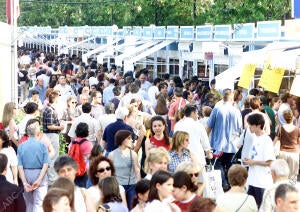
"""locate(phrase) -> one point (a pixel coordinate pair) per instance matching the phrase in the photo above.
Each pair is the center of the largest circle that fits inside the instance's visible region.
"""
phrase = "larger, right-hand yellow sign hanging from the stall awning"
(271, 78)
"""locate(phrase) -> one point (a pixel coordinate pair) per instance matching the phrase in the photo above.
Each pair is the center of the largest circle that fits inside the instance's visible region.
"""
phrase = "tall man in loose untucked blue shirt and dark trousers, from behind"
(225, 124)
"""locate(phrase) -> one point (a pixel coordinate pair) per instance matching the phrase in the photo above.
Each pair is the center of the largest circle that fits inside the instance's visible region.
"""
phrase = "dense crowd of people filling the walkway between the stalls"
(87, 138)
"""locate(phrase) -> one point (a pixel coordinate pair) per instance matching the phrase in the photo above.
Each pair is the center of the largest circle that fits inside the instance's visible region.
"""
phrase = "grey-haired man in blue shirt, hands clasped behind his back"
(33, 162)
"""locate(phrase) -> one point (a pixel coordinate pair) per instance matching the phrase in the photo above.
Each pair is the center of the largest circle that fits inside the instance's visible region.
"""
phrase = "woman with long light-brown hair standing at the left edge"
(9, 124)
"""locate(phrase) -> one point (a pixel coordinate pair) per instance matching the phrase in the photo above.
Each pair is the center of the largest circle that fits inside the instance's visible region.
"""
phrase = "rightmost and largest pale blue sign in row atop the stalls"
(268, 30)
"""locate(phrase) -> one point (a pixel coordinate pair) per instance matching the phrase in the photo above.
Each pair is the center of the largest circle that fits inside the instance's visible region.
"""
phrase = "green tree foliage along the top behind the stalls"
(56, 13)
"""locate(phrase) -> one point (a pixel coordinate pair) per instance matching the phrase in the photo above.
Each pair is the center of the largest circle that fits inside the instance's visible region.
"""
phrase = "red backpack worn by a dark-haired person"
(78, 156)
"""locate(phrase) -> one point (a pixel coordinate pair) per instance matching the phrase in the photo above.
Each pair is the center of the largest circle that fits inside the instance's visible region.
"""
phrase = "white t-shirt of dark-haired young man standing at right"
(262, 150)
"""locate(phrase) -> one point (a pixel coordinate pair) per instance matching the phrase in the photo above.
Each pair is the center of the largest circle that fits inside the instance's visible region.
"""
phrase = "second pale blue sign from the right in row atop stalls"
(243, 32)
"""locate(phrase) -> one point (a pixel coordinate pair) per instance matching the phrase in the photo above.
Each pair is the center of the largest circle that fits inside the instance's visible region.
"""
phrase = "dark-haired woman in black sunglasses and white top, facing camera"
(100, 168)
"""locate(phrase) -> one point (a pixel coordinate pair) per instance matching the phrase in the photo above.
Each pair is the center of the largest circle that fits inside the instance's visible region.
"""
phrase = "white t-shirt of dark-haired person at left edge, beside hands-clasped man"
(12, 161)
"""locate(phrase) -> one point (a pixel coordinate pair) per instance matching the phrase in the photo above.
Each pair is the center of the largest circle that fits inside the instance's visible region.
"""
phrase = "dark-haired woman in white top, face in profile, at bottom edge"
(160, 194)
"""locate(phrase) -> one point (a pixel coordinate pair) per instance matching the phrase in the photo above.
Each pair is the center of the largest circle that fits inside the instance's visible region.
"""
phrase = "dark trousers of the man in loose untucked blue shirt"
(223, 164)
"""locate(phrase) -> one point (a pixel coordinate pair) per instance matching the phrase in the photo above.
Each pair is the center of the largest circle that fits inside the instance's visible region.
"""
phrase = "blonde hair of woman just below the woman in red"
(156, 155)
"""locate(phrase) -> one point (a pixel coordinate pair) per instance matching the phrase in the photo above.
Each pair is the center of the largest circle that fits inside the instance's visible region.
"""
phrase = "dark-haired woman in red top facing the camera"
(160, 135)
